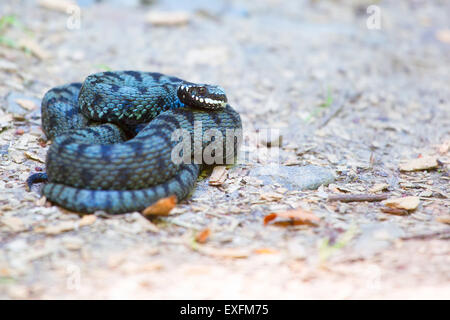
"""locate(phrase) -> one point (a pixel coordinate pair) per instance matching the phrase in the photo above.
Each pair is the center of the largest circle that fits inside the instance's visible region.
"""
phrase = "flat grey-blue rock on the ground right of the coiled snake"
(294, 178)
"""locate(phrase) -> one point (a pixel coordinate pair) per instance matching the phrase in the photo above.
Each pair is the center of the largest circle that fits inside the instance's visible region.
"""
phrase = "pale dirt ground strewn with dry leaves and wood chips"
(336, 87)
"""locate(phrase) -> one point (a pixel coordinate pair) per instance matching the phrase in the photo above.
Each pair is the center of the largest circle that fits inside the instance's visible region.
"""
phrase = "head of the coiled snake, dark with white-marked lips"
(202, 96)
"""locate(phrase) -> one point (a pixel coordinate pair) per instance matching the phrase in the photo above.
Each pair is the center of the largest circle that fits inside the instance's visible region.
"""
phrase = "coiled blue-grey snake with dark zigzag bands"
(122, 140)
